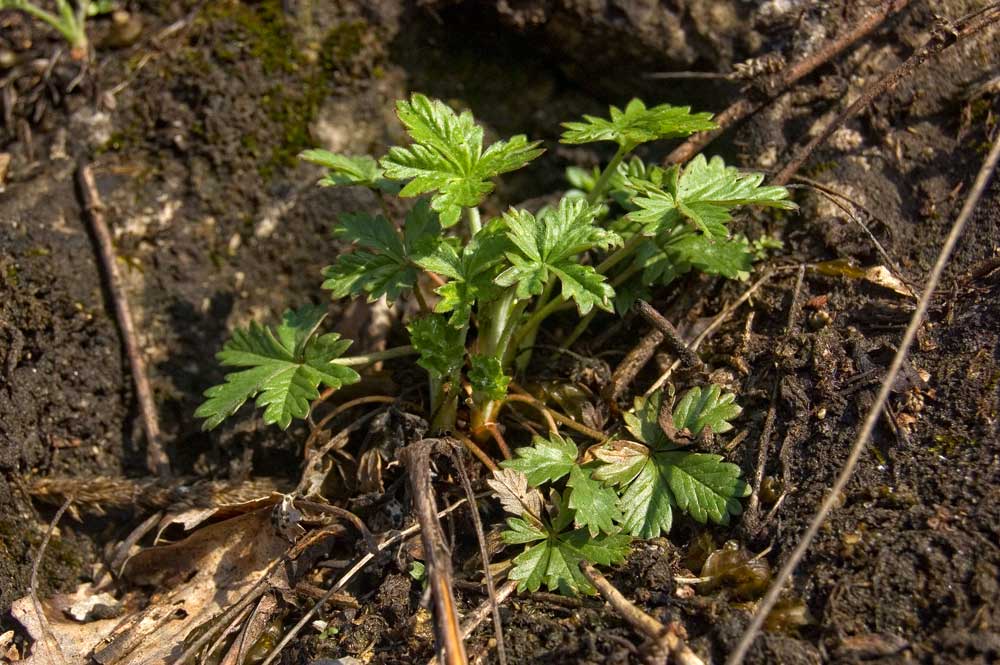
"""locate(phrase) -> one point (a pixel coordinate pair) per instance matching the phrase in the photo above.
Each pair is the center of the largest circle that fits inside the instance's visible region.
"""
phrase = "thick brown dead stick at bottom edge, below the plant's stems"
(417, 458)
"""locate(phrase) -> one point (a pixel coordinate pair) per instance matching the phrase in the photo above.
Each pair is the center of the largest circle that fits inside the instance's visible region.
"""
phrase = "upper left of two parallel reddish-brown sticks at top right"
(785, 79)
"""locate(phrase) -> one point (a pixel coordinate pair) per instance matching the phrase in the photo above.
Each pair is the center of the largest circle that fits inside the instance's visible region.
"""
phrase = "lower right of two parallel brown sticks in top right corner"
(941, 38)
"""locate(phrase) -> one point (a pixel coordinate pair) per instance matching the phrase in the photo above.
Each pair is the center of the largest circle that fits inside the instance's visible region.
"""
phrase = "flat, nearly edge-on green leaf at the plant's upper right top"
(637, 124)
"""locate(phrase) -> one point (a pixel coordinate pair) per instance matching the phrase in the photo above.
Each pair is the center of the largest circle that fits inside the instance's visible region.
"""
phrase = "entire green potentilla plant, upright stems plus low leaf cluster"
(619, 232)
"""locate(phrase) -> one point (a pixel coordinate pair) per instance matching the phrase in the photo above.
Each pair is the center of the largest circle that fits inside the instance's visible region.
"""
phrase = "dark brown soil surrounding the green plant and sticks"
(192, 127)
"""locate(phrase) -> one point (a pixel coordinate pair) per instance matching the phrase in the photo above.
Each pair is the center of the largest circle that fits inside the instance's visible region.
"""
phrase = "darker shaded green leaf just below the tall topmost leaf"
(391, 268)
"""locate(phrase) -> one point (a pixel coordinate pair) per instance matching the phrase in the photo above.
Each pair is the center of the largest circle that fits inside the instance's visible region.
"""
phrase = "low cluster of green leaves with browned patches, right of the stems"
(620, 489)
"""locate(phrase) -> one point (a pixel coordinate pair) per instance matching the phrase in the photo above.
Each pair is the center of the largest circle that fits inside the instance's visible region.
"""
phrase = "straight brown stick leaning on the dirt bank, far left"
(156, 459)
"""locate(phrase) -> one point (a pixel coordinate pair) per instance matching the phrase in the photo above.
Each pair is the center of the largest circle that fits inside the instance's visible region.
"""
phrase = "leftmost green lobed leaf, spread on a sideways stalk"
(286, 368)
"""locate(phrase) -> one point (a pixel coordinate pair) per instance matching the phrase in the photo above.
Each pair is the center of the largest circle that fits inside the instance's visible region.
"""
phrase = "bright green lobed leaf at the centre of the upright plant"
(548, 245)
